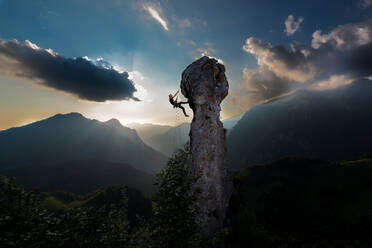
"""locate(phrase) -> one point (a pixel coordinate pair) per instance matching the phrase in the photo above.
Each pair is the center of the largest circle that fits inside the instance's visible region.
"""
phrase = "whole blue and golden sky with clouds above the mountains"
(121, 58)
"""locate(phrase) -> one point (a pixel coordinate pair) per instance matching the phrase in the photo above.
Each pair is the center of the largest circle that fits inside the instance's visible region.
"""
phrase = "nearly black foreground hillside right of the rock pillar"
(296, 202)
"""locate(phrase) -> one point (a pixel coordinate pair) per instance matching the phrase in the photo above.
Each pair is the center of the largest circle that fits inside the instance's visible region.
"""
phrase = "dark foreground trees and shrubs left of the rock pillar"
(109, 217)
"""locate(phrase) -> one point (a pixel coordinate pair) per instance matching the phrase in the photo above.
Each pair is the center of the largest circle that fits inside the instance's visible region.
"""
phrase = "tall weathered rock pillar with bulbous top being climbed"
(205, 85)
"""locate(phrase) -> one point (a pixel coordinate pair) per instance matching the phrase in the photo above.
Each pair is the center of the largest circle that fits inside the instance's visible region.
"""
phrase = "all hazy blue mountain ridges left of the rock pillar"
(70, 152)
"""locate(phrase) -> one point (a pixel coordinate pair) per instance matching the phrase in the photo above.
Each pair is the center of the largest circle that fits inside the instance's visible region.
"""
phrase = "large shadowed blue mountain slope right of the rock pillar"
(332, 125)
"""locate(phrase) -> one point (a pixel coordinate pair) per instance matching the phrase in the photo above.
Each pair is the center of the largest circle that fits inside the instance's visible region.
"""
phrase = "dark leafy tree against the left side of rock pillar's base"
(174, 206)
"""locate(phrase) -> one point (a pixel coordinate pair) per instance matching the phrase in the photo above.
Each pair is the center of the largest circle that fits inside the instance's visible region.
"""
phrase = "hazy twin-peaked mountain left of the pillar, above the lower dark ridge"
(72, 137)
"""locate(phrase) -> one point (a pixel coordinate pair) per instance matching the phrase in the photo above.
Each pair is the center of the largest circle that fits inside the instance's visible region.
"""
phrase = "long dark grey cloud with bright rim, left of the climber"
(82, 77)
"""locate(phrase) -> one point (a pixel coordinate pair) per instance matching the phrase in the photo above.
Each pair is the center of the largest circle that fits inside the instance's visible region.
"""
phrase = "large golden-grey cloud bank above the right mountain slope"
(334, 59)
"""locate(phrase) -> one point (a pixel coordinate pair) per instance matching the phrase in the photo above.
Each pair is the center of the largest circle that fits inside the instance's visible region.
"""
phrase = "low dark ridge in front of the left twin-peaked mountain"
(81, 177)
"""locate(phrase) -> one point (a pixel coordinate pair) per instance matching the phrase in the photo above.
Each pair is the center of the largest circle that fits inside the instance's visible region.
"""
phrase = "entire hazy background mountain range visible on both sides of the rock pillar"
(331, 125)
